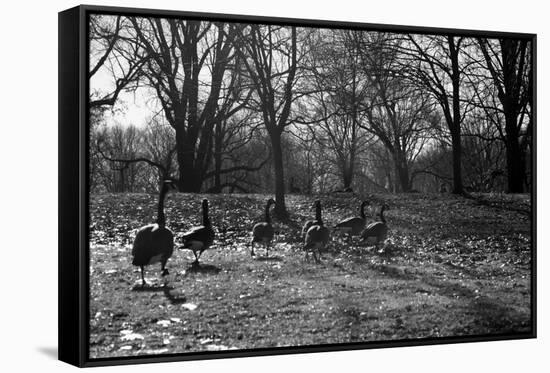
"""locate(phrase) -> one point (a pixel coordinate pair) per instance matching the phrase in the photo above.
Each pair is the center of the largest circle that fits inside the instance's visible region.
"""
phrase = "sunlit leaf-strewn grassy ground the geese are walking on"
(452, 266)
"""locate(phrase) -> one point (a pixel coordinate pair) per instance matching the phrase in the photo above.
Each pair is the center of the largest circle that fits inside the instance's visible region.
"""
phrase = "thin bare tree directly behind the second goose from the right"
(335, 99)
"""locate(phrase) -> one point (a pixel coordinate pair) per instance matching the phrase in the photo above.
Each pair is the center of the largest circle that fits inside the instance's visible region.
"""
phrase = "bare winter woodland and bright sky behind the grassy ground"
(267, 108)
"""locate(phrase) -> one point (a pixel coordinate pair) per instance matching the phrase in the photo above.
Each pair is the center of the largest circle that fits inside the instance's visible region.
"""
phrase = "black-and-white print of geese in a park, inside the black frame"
(260, 185)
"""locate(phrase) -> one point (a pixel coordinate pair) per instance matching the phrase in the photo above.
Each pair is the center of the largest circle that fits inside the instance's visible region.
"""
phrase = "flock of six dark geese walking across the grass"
(154, 243)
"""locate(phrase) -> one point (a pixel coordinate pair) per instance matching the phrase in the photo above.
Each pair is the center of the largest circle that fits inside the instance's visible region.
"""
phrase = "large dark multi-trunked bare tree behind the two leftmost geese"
(187, 68)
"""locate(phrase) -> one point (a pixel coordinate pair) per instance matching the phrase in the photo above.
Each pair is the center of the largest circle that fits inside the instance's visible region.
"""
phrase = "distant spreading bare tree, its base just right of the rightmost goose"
(399, 114)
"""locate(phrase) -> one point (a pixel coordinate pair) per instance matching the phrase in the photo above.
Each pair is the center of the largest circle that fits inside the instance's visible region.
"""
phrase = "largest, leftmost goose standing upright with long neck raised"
(155, 242)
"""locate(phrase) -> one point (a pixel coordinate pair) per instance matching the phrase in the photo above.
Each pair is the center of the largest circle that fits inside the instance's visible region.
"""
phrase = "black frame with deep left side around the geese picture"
(73, 232)
